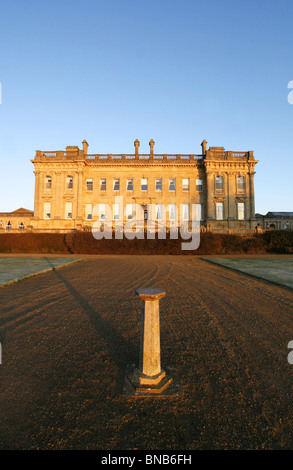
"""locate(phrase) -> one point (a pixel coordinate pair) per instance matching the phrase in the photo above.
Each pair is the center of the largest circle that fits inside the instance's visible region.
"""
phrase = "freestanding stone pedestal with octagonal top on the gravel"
(149, 377)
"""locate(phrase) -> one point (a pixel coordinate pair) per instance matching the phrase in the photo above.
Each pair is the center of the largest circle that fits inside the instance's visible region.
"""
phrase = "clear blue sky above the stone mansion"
(176, 71)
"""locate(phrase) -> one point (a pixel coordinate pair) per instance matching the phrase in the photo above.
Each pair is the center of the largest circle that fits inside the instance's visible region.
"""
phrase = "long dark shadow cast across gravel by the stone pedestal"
(120, 350)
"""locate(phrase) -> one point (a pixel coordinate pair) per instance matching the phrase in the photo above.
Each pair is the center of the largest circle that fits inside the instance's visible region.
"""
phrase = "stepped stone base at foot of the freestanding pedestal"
(145, 385)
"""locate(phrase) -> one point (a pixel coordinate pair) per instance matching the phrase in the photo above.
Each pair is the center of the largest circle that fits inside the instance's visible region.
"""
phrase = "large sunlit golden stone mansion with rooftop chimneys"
(73, 188)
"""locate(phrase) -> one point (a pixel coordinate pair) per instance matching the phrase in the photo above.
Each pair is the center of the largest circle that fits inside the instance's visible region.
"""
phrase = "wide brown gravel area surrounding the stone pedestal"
(68, 335)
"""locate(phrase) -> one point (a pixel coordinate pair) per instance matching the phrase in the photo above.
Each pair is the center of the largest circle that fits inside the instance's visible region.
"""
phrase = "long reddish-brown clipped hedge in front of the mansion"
(84, 242)
